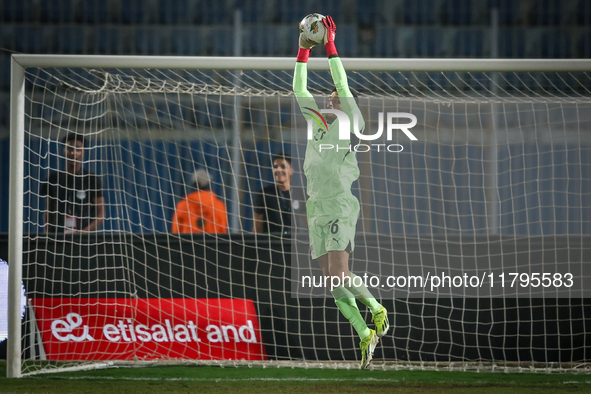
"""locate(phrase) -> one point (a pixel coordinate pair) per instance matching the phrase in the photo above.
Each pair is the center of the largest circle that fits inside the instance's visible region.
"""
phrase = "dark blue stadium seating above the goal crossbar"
(381, 28)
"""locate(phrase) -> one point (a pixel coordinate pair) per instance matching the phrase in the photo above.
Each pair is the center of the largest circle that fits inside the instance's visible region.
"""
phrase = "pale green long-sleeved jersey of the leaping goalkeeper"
(330, 164)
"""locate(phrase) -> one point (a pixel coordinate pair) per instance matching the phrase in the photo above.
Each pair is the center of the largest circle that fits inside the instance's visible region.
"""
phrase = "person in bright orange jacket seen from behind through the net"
(201, 211)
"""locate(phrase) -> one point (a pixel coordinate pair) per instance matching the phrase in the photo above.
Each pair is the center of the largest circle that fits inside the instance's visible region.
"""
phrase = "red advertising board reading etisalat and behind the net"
(148, 329)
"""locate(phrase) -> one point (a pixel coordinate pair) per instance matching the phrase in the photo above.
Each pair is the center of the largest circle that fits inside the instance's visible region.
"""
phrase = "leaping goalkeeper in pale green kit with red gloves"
(332, 209)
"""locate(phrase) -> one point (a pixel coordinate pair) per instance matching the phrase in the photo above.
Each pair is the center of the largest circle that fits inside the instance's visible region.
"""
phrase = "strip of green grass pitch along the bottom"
(228, 380)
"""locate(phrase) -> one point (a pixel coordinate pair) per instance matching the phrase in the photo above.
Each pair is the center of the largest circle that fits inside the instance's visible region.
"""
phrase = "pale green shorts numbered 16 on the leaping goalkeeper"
(332, 224)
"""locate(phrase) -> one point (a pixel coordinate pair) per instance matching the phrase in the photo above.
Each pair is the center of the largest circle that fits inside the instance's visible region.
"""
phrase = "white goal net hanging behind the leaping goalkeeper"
(474, 235)
